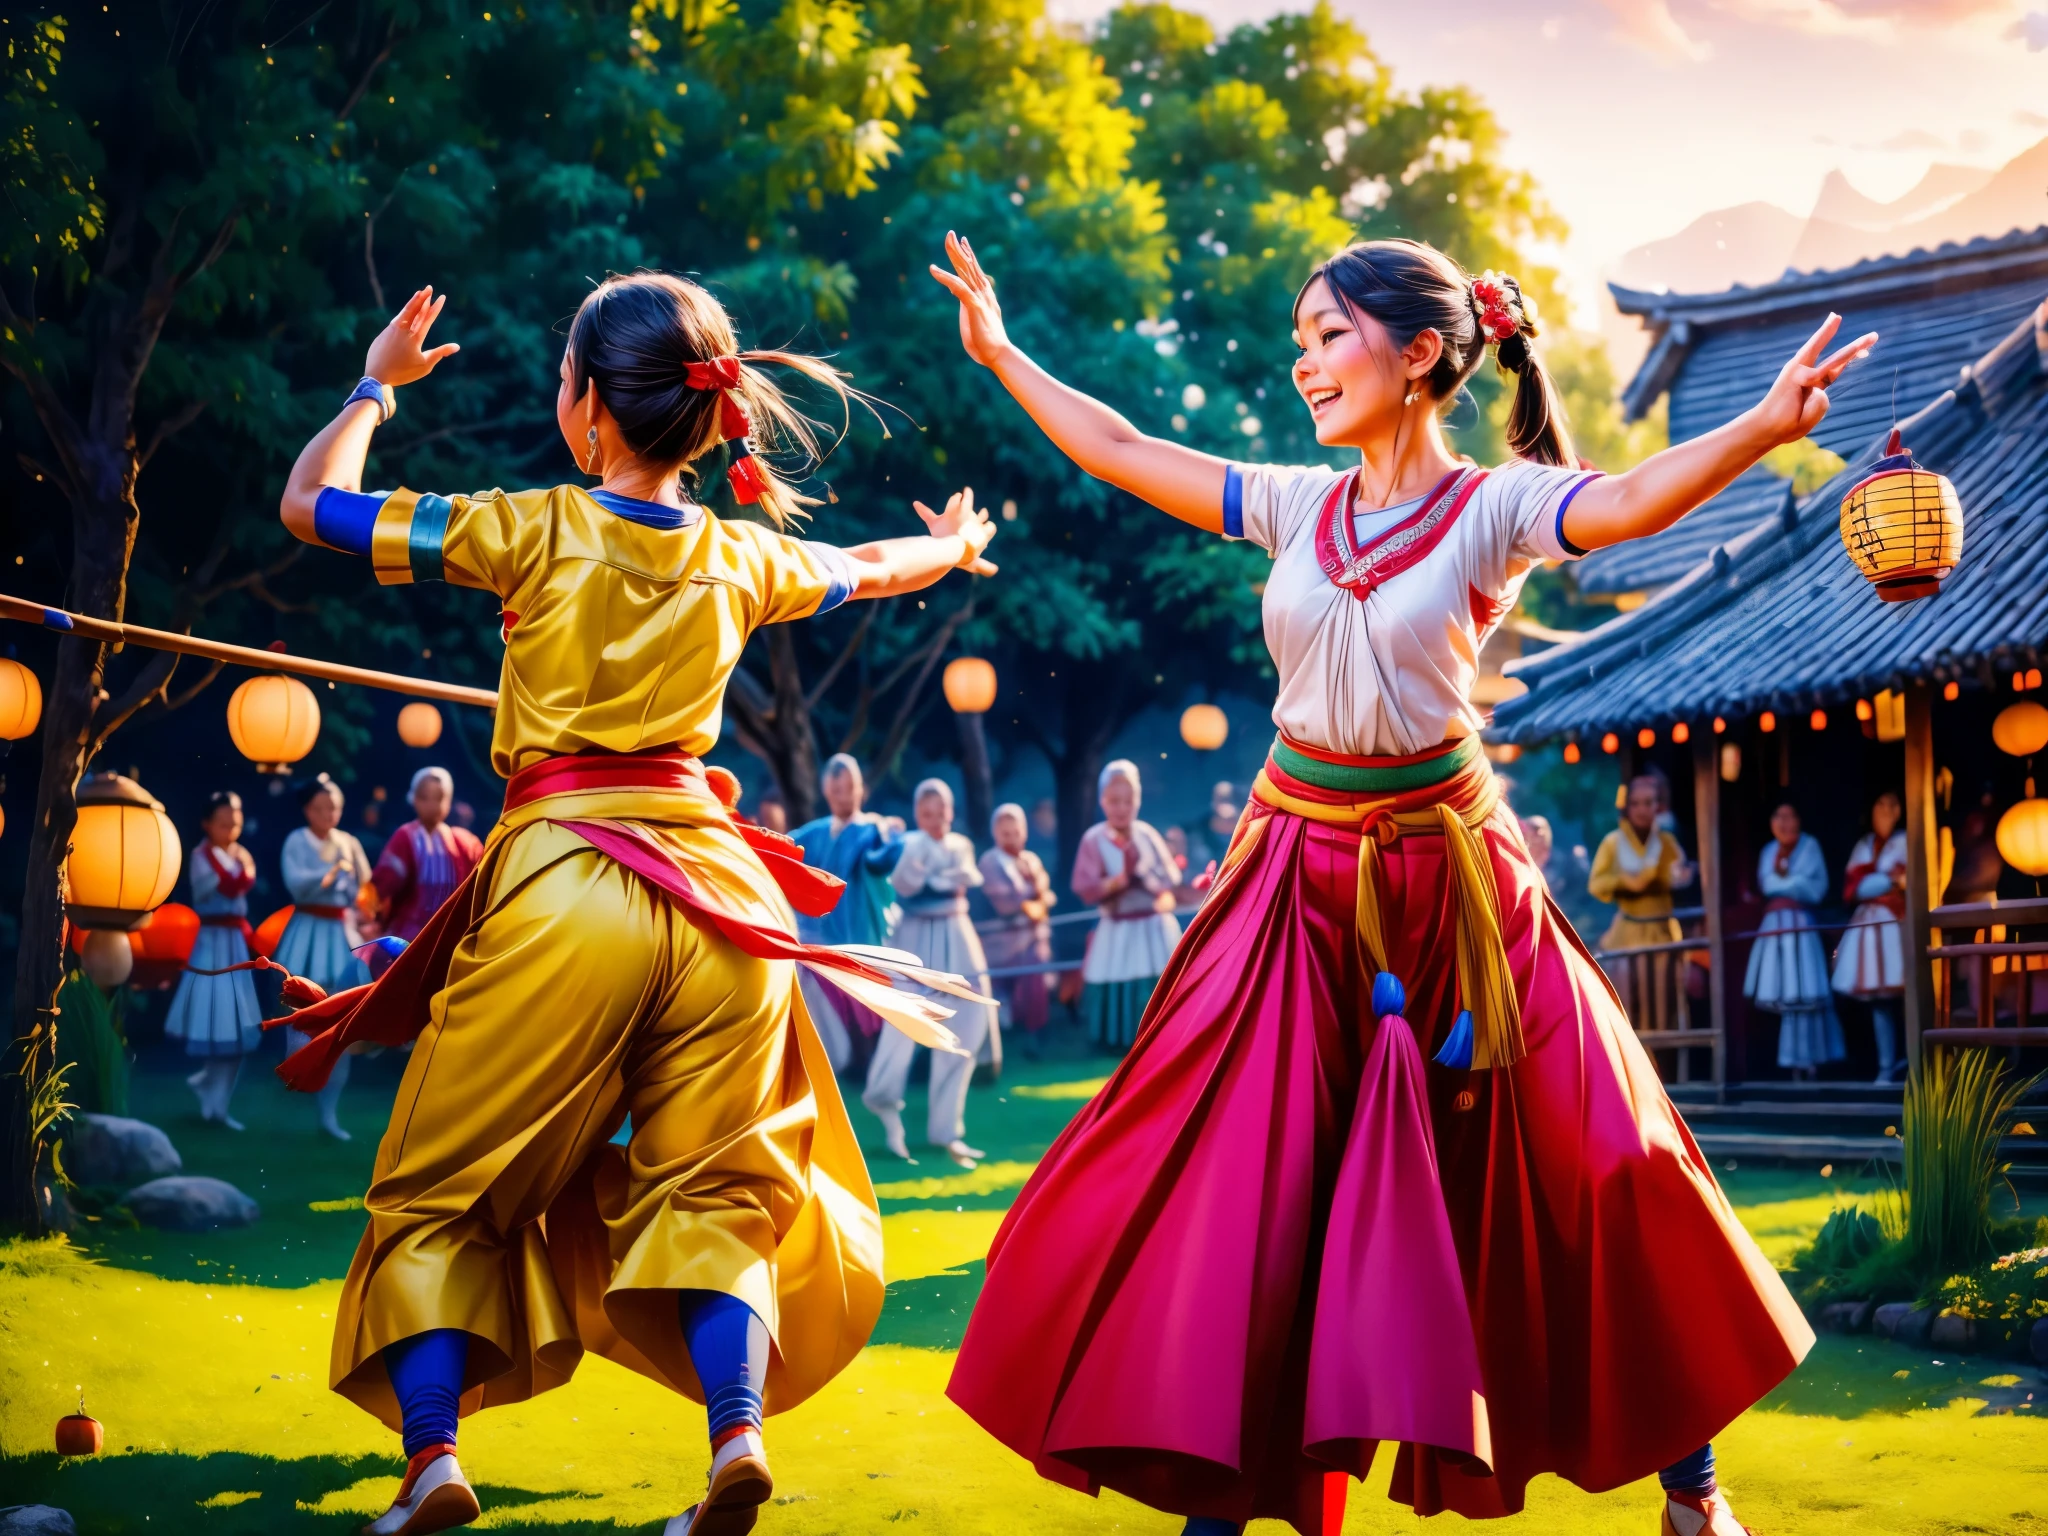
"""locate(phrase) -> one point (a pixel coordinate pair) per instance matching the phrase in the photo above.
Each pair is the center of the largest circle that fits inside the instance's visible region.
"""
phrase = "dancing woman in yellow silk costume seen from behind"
(626, 945)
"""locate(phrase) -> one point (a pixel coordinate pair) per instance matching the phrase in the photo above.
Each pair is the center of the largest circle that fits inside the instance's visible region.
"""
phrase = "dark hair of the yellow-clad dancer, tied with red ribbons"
(636, 339)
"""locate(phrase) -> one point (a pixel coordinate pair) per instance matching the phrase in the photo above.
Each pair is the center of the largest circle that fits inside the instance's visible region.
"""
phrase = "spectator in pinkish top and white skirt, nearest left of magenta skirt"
(1127, 873)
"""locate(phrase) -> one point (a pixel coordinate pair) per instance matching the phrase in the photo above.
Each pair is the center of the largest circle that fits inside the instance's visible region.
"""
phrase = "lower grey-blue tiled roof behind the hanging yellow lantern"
(1779, 617)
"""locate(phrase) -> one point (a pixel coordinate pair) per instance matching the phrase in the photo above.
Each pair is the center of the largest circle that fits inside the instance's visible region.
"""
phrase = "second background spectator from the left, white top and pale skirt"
(325, 871)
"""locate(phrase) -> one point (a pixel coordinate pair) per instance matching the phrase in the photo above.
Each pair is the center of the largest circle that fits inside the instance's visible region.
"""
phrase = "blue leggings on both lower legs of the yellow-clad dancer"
(728, 1347)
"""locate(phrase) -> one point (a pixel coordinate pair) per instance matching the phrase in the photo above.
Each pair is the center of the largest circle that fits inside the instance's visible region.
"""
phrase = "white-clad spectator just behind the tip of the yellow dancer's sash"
(933, 880)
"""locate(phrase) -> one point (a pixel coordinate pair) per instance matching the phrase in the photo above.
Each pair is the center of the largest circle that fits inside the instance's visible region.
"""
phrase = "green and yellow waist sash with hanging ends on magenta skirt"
(1447, 792)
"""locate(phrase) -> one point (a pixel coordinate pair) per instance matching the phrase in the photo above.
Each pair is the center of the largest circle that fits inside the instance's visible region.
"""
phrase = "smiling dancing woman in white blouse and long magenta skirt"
(1388, 1162)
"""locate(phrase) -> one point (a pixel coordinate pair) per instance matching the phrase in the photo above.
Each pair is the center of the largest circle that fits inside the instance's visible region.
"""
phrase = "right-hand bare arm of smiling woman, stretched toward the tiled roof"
(1670, 484)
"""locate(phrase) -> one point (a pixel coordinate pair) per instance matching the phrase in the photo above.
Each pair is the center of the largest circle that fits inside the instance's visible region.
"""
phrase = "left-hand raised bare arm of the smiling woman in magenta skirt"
(1175, 478)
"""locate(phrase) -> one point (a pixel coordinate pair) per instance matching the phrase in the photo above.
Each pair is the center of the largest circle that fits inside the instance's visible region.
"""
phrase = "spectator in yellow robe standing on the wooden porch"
(1637, 869)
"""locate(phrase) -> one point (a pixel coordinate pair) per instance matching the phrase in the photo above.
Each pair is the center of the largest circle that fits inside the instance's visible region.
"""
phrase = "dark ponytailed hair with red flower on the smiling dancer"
(1410, 288)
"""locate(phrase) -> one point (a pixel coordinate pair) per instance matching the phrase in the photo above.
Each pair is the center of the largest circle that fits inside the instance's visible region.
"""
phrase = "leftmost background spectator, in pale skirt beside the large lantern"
(218, 1015)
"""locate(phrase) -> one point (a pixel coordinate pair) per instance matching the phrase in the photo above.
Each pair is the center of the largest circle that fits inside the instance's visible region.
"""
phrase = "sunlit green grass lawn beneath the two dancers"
(206, 1357)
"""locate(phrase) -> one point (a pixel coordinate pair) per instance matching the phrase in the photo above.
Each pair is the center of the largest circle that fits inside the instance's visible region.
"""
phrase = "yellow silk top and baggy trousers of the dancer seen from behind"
(579, 994)
